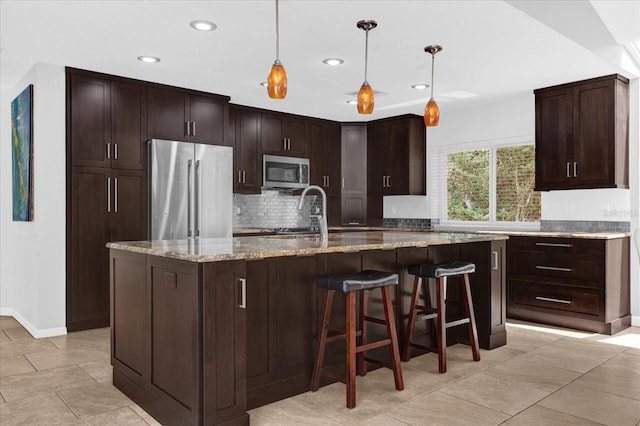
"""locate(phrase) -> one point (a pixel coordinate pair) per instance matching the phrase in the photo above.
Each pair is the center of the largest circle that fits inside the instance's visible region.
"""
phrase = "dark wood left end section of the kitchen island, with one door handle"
(178, 333)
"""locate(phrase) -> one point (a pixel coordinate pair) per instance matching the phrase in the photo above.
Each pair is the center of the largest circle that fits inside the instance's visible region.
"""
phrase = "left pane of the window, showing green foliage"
(468, 185)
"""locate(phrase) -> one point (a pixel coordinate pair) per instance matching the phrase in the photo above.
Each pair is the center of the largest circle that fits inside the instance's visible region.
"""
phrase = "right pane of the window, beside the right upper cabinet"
(515, 178)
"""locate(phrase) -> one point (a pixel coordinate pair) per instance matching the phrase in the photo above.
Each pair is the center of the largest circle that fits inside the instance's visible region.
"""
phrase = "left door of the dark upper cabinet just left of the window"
(377, 157)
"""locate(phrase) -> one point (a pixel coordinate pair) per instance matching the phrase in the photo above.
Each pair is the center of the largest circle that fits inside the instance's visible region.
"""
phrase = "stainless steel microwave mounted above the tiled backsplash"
(285, 172)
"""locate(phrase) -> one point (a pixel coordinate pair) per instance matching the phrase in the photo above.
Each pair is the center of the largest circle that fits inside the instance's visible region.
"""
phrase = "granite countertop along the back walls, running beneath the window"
(514, 233)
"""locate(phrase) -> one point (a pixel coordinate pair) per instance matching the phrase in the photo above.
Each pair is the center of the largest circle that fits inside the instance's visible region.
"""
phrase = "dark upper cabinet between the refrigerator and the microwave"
(245, 136)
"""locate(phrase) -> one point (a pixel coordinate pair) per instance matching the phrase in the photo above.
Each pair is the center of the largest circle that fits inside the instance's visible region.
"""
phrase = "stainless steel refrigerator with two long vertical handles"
(190, 190)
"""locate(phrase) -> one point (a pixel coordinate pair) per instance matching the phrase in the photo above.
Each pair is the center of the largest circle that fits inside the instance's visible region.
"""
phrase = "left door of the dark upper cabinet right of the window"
(553, 139)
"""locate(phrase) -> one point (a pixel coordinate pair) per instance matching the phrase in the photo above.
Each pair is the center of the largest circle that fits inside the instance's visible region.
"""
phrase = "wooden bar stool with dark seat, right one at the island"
(440, 272)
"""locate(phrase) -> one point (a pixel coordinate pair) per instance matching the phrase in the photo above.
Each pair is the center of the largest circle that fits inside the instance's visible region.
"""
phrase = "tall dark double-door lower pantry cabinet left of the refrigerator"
(107, 205)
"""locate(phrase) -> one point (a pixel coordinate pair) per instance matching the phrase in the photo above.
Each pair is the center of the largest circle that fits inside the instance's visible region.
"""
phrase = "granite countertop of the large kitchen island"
(260, 247)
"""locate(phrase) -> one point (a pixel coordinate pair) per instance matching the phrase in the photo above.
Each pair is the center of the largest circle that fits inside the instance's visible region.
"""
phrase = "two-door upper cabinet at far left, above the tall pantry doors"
(106, 122)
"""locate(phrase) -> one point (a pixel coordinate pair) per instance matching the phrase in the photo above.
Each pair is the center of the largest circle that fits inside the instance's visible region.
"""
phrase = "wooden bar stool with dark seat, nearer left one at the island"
(350, 285)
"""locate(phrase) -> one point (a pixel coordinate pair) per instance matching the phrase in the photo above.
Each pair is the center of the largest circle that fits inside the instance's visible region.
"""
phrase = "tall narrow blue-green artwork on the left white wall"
(22, 154)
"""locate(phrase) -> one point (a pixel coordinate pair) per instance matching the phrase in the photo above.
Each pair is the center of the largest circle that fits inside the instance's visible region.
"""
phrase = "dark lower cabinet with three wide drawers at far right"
(570, 282)
